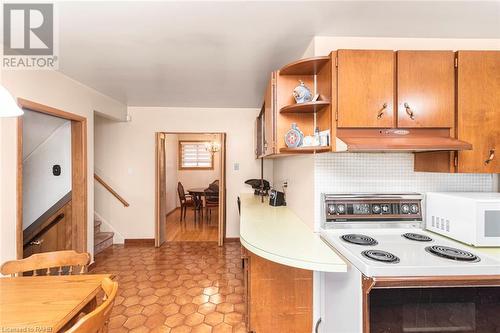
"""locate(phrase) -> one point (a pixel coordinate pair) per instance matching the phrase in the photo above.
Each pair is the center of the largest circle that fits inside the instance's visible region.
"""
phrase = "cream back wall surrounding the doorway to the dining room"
(125, 154)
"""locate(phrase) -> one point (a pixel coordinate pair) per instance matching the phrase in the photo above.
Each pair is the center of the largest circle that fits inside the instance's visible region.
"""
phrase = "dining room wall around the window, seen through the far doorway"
(199, 178)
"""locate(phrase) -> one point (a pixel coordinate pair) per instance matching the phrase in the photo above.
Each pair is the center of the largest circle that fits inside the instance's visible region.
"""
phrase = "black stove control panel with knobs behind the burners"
(346, 208)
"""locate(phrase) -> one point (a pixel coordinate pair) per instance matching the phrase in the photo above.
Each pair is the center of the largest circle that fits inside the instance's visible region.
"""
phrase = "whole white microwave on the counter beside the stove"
(468, 217)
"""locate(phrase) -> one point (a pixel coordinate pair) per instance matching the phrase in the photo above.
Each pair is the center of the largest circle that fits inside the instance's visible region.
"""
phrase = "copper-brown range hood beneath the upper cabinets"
(408, 140)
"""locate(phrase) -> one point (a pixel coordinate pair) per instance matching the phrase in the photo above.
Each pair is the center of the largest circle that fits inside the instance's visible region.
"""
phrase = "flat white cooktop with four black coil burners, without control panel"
(421, 254)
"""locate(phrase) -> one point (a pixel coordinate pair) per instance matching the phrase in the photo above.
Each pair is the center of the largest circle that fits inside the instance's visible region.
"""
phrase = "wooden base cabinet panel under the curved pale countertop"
(279, 297)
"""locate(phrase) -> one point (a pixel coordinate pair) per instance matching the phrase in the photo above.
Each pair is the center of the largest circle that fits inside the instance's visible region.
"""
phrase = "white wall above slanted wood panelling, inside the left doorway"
(41, 189)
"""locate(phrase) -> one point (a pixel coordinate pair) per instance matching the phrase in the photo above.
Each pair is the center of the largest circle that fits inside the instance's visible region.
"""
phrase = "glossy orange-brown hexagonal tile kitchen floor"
(180, 287)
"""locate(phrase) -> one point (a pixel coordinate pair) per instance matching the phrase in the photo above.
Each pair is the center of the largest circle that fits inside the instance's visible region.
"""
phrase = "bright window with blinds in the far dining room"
(194, 155)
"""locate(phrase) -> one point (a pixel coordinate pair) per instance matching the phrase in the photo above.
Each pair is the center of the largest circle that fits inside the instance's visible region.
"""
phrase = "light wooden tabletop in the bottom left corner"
(45, 303)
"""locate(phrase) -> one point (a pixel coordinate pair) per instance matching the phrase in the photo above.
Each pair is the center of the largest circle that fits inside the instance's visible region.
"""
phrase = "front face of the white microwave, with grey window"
(488, 228)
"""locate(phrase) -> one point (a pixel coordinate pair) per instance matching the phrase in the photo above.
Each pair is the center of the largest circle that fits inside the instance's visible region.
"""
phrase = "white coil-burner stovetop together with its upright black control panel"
(381, 235)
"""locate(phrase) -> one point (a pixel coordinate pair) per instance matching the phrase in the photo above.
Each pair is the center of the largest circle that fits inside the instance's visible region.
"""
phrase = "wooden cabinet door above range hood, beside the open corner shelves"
(366, 83)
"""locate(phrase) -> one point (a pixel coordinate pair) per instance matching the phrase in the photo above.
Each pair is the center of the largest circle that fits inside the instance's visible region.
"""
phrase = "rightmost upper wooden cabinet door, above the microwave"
(478, 105)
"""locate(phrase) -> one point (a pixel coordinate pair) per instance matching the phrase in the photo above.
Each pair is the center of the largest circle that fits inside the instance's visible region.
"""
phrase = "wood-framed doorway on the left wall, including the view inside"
(61, 223)
